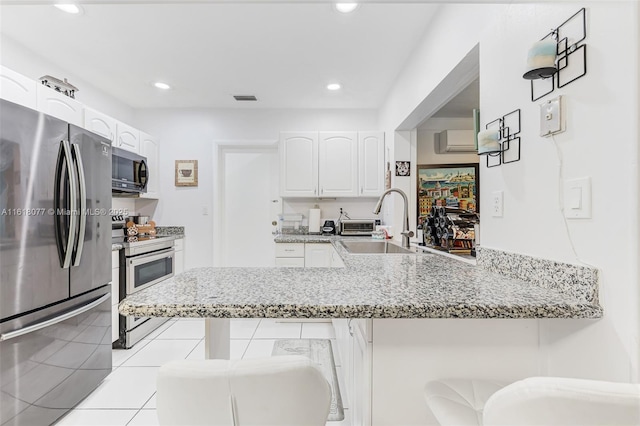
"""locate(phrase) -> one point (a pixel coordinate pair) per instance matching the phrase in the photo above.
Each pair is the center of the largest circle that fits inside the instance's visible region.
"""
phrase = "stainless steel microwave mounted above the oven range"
(129, 172)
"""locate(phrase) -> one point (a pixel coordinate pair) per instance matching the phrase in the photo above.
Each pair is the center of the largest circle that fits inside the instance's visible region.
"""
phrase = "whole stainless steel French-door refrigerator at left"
(55, 265)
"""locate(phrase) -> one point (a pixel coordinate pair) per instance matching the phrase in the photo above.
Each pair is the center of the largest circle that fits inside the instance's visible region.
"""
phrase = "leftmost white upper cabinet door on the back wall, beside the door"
(299, 164)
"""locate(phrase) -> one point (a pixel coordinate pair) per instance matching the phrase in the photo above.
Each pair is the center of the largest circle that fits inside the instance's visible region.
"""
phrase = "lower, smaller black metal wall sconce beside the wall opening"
(508, 129)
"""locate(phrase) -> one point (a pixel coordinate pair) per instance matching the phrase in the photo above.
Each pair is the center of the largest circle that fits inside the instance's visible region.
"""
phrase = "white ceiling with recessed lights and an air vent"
(283, 53)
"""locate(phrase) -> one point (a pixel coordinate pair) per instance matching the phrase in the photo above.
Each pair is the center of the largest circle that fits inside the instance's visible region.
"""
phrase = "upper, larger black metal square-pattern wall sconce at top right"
(568, 54)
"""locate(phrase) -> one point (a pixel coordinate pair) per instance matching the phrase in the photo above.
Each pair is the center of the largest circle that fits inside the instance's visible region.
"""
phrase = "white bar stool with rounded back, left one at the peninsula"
(286, 390)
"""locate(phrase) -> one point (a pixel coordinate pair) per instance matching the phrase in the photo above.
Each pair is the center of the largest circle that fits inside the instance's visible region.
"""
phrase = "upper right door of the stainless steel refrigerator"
(91, 261)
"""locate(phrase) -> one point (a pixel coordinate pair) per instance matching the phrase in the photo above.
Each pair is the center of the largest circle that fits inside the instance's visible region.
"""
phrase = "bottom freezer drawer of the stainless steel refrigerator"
(48, 368)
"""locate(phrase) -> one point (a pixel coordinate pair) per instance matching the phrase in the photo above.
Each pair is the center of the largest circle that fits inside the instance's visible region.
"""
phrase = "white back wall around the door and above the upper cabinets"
(187, 134)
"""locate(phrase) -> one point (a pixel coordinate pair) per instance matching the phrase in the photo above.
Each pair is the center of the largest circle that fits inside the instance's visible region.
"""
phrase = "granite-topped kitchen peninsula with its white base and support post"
(414, 305)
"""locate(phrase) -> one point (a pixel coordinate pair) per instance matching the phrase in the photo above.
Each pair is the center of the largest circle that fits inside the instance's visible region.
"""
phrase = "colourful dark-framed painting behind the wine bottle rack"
(448, 185)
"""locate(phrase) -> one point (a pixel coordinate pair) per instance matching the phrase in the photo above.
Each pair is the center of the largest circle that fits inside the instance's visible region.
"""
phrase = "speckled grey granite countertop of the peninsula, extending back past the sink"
(422, 285)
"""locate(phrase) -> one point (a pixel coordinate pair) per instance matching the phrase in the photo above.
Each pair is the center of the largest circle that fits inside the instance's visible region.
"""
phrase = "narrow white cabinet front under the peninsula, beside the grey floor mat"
(355, 348)
